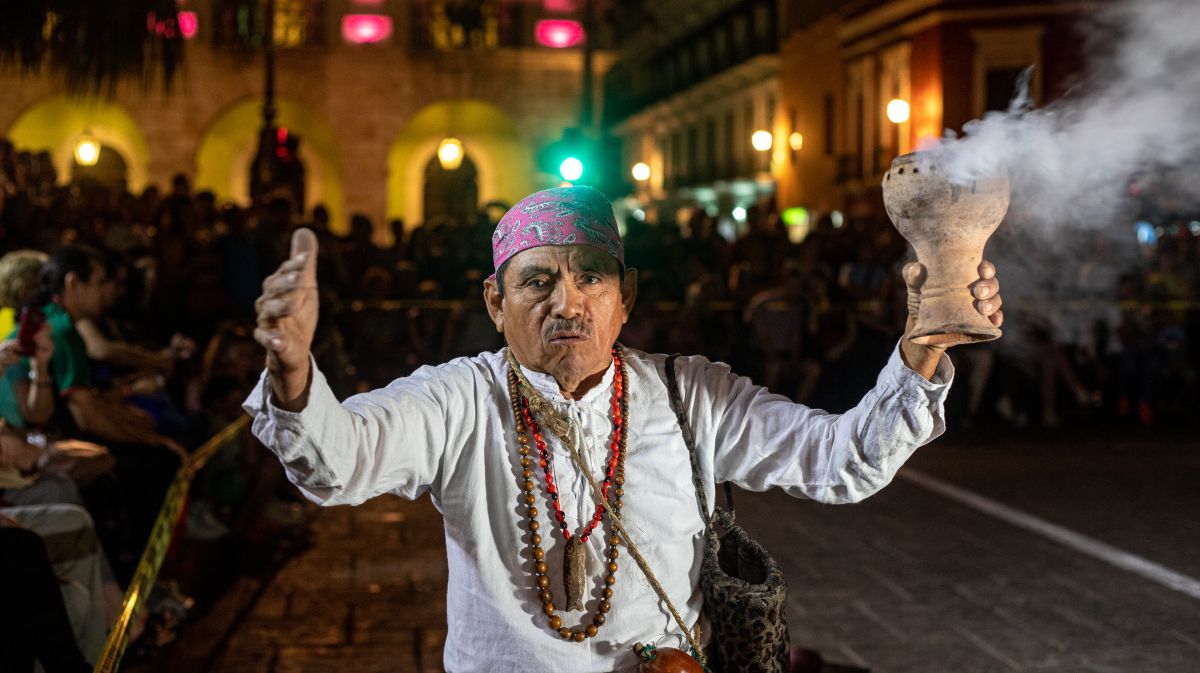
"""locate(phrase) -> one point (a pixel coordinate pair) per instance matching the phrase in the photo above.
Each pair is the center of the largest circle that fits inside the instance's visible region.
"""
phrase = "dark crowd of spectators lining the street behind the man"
(145, 351)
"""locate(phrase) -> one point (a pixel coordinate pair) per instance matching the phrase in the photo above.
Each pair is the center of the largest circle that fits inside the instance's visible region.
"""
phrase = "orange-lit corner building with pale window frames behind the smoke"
(951, 62)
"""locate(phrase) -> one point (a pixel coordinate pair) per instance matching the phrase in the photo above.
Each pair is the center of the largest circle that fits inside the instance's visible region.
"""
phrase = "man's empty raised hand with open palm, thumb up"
(287, 322)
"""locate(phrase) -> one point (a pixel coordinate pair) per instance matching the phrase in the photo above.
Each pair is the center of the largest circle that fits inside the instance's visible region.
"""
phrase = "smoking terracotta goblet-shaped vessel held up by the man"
(949, 225)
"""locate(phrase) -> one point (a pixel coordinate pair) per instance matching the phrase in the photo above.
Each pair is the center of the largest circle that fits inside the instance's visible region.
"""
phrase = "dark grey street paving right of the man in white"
(911, 582)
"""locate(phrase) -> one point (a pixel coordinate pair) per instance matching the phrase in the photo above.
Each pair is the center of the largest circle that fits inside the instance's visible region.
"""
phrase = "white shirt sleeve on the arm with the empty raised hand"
(392, 440)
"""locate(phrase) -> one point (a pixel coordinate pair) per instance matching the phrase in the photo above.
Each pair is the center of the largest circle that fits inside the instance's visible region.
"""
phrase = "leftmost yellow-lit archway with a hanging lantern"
(57, 125)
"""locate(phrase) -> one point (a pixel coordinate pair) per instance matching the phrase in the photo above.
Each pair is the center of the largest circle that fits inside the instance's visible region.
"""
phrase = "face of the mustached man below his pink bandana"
(562, 310)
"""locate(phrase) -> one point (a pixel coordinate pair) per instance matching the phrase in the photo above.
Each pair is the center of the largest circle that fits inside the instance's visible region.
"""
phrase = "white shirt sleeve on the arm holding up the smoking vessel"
(761, 441)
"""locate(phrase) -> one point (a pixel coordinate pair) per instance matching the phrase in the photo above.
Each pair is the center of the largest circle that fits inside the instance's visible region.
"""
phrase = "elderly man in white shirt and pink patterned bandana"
(475, 434)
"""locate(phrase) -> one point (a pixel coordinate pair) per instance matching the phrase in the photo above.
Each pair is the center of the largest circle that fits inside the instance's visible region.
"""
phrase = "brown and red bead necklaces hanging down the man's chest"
(574, 574)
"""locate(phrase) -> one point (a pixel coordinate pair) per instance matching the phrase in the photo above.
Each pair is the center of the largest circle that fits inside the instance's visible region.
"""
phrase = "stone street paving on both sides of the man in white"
(905, 582)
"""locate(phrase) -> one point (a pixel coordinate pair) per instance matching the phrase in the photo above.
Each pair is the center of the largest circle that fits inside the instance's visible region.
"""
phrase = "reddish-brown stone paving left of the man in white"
(368, 598)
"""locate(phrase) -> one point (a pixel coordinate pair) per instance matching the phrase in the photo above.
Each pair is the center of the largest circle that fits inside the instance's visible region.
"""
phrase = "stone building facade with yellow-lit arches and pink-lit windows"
(370, 88)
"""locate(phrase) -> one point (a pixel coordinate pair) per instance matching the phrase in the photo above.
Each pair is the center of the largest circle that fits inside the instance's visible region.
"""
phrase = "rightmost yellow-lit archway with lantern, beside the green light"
(502, 158)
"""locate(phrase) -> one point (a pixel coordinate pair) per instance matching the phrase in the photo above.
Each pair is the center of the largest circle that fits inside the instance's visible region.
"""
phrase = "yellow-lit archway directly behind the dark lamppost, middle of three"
(227, 148)
